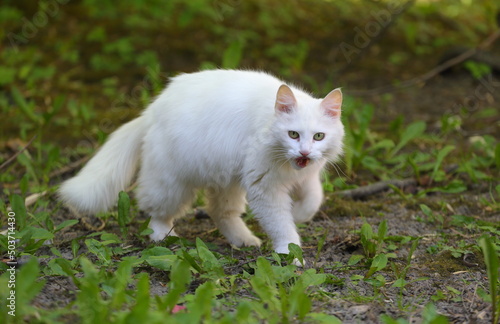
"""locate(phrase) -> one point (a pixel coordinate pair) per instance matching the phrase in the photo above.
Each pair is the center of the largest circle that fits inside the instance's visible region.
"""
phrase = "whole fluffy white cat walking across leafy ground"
(234, 133)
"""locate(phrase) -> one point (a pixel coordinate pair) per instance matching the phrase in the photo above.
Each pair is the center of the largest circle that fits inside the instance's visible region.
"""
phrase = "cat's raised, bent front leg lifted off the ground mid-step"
(308, 198)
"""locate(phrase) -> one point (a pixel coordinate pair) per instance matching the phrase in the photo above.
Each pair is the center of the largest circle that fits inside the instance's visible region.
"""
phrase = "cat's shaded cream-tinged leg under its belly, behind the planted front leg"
(225, 206)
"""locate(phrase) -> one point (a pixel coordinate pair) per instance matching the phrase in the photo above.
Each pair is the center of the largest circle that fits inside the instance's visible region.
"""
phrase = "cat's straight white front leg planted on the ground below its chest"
(273, 211)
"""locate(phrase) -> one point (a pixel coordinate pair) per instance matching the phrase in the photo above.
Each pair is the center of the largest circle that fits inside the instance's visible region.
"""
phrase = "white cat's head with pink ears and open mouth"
(309, 130)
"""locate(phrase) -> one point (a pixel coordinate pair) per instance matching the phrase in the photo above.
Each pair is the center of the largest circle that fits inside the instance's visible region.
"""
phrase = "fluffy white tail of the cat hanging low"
(95, 188)
